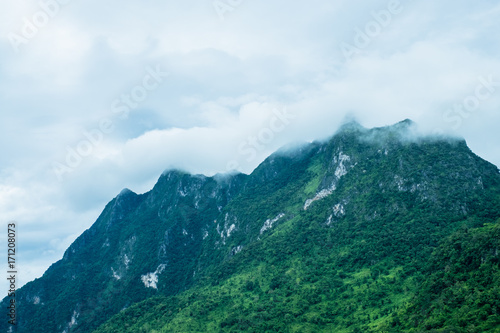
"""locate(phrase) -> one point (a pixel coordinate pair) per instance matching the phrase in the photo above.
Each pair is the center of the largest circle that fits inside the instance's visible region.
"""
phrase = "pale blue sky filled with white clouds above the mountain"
(99, 96)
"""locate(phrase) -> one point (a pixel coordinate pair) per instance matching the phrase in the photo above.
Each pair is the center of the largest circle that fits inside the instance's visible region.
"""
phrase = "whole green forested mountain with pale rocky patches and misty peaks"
(373, 230)
